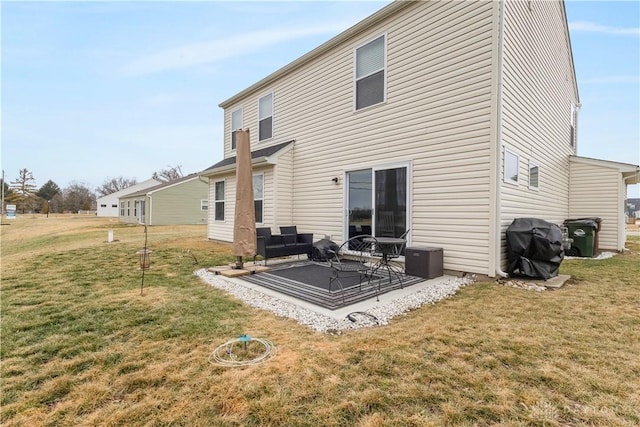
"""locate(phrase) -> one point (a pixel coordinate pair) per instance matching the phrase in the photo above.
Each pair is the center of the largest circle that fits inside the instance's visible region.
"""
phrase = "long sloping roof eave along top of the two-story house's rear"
(326, 46)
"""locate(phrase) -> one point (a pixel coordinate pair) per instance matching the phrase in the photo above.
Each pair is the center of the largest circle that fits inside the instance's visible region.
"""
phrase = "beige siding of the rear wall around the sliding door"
(436, 118)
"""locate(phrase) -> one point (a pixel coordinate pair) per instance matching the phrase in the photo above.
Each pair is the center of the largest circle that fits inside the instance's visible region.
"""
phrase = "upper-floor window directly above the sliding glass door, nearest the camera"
(370, 73)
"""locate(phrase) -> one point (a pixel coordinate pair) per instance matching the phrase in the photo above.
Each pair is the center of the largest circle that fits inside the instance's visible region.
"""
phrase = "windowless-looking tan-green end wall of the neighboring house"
(178, 204)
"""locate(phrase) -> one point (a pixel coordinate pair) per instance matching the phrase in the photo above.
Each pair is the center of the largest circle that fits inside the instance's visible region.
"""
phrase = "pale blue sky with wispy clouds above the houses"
(93, 90)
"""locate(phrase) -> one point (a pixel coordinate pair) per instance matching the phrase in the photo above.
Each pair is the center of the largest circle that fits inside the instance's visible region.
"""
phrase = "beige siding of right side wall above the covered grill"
(538, 89)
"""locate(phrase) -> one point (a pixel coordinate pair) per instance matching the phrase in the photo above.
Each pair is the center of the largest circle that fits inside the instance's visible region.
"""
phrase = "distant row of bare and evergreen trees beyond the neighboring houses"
(50, 198)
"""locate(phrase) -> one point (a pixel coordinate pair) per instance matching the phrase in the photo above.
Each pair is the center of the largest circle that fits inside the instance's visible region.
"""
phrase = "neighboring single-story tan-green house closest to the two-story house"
(181, 201)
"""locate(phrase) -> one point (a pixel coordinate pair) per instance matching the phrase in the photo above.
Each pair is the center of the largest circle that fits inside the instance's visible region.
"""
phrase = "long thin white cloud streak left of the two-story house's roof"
(196, 54)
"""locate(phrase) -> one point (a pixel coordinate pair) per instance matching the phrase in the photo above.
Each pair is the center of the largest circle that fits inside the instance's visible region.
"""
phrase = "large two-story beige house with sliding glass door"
(446, 118)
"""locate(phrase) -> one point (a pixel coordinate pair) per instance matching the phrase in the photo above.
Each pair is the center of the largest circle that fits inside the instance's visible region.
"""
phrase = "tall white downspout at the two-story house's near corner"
(498, 225)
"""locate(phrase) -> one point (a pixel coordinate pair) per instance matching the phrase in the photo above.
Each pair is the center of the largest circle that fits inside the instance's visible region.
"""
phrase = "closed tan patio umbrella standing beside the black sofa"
(244, 227)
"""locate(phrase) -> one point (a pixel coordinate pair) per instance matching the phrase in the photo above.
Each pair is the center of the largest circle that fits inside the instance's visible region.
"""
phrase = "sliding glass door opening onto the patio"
(377, 202)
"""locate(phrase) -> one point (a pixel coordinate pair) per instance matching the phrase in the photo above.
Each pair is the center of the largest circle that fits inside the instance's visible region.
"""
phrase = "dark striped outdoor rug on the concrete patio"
(309, 281)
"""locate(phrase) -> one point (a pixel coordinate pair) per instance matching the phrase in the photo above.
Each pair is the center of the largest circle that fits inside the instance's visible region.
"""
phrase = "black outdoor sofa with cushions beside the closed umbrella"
(288, 242)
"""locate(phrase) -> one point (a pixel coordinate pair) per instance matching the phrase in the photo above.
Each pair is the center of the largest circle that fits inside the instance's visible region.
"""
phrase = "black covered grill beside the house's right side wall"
(534, 248)
